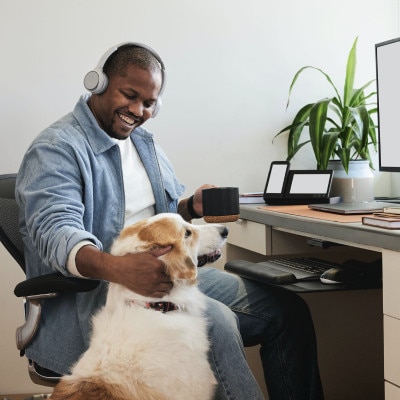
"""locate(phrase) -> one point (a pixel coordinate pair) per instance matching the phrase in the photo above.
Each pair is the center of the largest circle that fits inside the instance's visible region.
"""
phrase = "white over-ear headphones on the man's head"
(96, 81)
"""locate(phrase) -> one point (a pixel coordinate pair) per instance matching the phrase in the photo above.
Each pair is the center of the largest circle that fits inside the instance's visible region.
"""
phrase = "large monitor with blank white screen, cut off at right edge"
(387, 55)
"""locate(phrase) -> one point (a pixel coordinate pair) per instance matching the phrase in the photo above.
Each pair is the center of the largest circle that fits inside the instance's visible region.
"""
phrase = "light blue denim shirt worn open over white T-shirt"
(70, 188)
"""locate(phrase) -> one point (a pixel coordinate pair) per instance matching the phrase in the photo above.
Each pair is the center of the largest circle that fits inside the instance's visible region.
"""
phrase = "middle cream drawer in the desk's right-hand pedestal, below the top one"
(391, 335)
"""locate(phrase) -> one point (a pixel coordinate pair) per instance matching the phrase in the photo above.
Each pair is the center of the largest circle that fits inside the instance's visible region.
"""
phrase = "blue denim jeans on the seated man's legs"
(278, 320)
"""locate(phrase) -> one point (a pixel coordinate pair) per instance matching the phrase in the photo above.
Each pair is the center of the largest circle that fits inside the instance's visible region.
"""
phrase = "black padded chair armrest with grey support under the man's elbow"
(37, 289)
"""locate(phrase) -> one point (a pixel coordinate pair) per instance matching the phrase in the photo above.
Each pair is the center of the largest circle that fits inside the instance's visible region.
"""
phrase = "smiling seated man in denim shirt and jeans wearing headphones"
(97, 170)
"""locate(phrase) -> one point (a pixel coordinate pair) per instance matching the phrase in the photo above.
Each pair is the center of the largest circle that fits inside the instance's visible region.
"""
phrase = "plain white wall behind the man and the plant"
(229, 65)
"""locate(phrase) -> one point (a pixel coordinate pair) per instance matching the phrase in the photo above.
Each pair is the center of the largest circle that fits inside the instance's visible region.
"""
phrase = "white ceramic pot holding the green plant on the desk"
(357, 185)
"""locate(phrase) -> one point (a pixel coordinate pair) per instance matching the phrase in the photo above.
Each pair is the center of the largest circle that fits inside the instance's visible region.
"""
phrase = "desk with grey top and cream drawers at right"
(369, 367)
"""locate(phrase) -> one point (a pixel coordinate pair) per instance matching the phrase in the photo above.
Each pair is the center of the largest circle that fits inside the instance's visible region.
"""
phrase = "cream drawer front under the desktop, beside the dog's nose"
(251, 236)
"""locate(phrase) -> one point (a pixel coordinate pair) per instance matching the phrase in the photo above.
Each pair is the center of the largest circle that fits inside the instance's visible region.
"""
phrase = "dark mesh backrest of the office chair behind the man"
(9, 230)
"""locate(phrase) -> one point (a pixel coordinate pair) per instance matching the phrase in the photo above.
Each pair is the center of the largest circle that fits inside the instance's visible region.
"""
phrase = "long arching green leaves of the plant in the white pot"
(339, 127)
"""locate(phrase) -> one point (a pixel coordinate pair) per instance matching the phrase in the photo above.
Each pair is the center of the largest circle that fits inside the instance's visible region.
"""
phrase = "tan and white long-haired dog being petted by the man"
(150, 348)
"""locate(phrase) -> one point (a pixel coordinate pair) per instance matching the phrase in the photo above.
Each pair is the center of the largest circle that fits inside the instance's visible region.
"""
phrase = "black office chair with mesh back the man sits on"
(34, 290)
